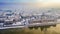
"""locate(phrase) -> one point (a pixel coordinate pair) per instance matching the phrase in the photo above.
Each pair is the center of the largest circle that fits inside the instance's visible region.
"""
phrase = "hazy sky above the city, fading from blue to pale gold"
(37, 3)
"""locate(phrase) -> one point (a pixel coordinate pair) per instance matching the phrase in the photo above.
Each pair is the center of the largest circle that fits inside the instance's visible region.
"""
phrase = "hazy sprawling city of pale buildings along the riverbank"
(20, 19)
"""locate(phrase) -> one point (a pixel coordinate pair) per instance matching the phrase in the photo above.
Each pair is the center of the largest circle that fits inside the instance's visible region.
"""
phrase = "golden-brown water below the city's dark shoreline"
(51, 30)
